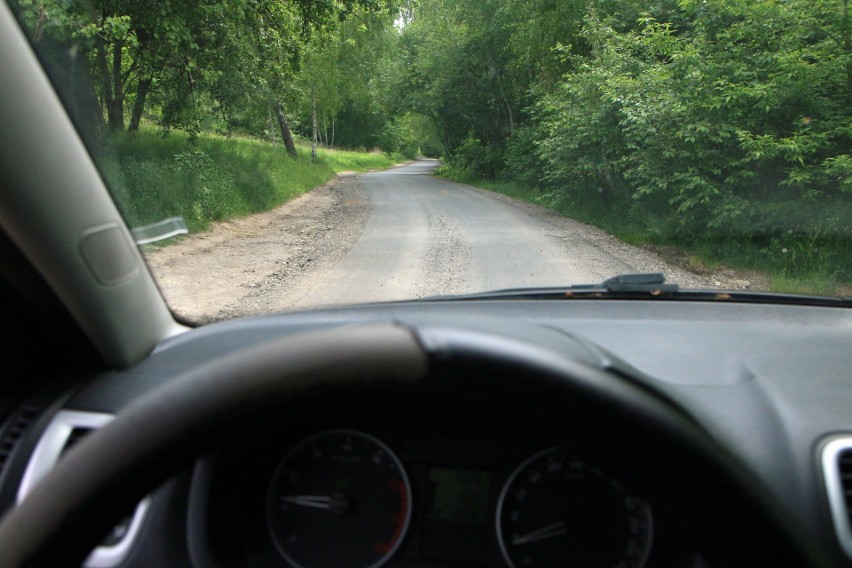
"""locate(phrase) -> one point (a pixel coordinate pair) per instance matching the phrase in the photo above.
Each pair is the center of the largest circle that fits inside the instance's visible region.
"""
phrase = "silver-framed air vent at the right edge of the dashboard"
(837, 469)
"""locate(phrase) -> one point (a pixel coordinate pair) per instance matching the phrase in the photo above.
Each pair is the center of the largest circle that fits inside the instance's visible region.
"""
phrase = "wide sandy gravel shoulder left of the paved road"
(246, 266)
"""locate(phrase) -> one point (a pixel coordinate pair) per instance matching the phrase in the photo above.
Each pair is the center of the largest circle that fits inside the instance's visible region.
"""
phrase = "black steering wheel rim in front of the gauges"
(68, 512)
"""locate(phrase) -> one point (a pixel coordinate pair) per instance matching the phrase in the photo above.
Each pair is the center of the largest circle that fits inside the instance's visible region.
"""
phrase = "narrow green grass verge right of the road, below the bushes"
(796, 263)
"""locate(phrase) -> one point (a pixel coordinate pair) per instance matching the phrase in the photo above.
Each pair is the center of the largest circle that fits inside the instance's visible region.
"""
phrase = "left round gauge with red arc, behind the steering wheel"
(339, 497)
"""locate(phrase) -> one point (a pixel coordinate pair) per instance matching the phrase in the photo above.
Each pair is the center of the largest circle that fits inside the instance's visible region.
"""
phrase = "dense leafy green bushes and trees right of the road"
(722, 126)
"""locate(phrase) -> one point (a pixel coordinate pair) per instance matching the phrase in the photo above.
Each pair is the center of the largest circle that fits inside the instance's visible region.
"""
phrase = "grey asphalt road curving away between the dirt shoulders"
(425, 236)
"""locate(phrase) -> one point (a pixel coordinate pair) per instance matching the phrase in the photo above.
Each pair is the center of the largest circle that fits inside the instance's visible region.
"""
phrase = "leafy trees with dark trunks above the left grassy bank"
(187, 65)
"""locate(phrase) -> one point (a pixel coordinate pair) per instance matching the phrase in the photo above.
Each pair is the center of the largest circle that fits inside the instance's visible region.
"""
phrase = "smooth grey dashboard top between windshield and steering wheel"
(769, 381)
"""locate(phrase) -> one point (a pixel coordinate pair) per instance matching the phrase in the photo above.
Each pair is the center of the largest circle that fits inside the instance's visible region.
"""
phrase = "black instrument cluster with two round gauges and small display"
(421, 496)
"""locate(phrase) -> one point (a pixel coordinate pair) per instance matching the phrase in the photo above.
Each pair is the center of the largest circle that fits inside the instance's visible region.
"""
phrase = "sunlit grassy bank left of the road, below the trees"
(215, 178)
